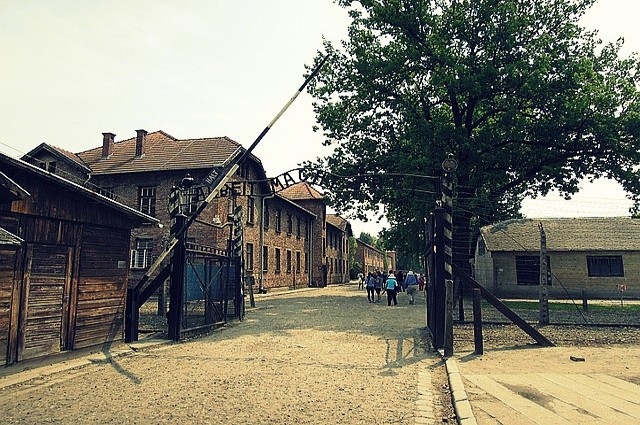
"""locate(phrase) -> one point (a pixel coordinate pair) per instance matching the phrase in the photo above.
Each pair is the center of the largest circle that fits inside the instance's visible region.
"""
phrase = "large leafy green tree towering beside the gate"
(523, 97)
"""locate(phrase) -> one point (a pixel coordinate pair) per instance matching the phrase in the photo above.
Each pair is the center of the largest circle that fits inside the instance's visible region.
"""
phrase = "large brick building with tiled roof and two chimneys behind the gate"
(284, 234)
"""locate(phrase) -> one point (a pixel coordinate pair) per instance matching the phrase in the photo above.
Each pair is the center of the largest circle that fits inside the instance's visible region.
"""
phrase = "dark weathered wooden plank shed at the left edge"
(70, 291)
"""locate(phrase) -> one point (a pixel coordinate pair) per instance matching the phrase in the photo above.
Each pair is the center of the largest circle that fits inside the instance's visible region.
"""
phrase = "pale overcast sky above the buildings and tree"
(72, 70)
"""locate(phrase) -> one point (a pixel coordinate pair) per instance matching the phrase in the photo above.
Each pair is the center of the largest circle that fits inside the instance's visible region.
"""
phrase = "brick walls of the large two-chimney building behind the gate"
(126, 190)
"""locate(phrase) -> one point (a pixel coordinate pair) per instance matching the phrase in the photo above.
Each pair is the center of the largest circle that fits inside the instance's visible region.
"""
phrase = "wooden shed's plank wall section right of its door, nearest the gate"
(102, 286)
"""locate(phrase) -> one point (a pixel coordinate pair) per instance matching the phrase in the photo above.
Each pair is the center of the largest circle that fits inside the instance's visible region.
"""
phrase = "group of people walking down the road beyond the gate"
(377, 283)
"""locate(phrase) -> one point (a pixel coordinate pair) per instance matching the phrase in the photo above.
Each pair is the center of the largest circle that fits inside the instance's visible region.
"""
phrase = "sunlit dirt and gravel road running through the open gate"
(320, 356)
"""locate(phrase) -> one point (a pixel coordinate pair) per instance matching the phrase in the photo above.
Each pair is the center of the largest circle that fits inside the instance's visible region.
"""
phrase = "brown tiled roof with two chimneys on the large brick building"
(162, 152)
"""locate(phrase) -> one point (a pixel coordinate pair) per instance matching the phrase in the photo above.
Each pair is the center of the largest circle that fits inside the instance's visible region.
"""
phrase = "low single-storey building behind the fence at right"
(599, 255)
